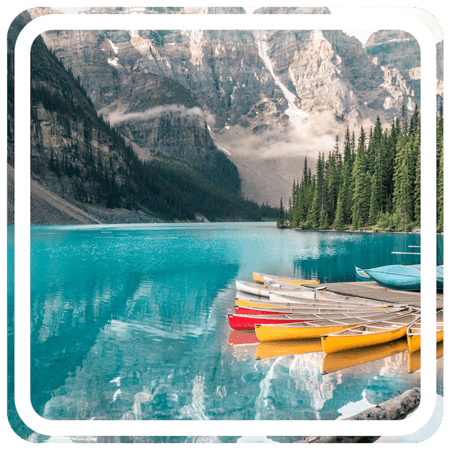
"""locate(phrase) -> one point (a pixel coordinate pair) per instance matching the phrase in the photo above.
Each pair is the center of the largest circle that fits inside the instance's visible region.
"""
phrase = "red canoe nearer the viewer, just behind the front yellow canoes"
(248, 322)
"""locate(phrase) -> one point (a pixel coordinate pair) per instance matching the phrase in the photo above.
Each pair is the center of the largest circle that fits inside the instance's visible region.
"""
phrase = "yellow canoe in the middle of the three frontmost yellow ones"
(391, 328)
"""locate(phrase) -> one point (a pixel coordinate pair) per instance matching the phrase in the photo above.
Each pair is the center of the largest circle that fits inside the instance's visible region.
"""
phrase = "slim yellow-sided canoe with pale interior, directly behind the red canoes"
(310, 303)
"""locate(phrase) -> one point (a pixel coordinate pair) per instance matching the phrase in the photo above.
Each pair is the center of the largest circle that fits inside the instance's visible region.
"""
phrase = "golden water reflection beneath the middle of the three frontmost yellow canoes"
(353, 357)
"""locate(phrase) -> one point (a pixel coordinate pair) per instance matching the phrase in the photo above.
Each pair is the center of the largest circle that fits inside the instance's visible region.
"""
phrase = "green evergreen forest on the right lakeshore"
(373, 184)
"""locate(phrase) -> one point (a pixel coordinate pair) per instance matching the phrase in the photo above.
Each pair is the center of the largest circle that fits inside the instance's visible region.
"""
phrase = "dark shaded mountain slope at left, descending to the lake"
(81, 158)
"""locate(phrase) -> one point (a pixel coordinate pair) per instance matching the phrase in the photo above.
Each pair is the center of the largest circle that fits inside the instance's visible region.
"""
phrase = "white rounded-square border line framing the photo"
(369, 20)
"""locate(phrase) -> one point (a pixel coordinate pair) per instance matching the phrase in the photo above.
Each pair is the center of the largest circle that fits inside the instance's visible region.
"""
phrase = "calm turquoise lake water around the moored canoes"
(129, 322)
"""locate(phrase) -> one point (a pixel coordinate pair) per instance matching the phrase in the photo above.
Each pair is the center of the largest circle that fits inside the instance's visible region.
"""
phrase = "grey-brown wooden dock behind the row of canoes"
(372, 290)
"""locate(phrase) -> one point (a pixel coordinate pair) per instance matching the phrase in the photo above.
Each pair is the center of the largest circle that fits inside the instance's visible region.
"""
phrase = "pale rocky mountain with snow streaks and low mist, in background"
(265, 99)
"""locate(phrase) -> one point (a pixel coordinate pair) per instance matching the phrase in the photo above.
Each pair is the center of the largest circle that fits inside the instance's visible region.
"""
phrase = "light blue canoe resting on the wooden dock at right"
(400, 277)
